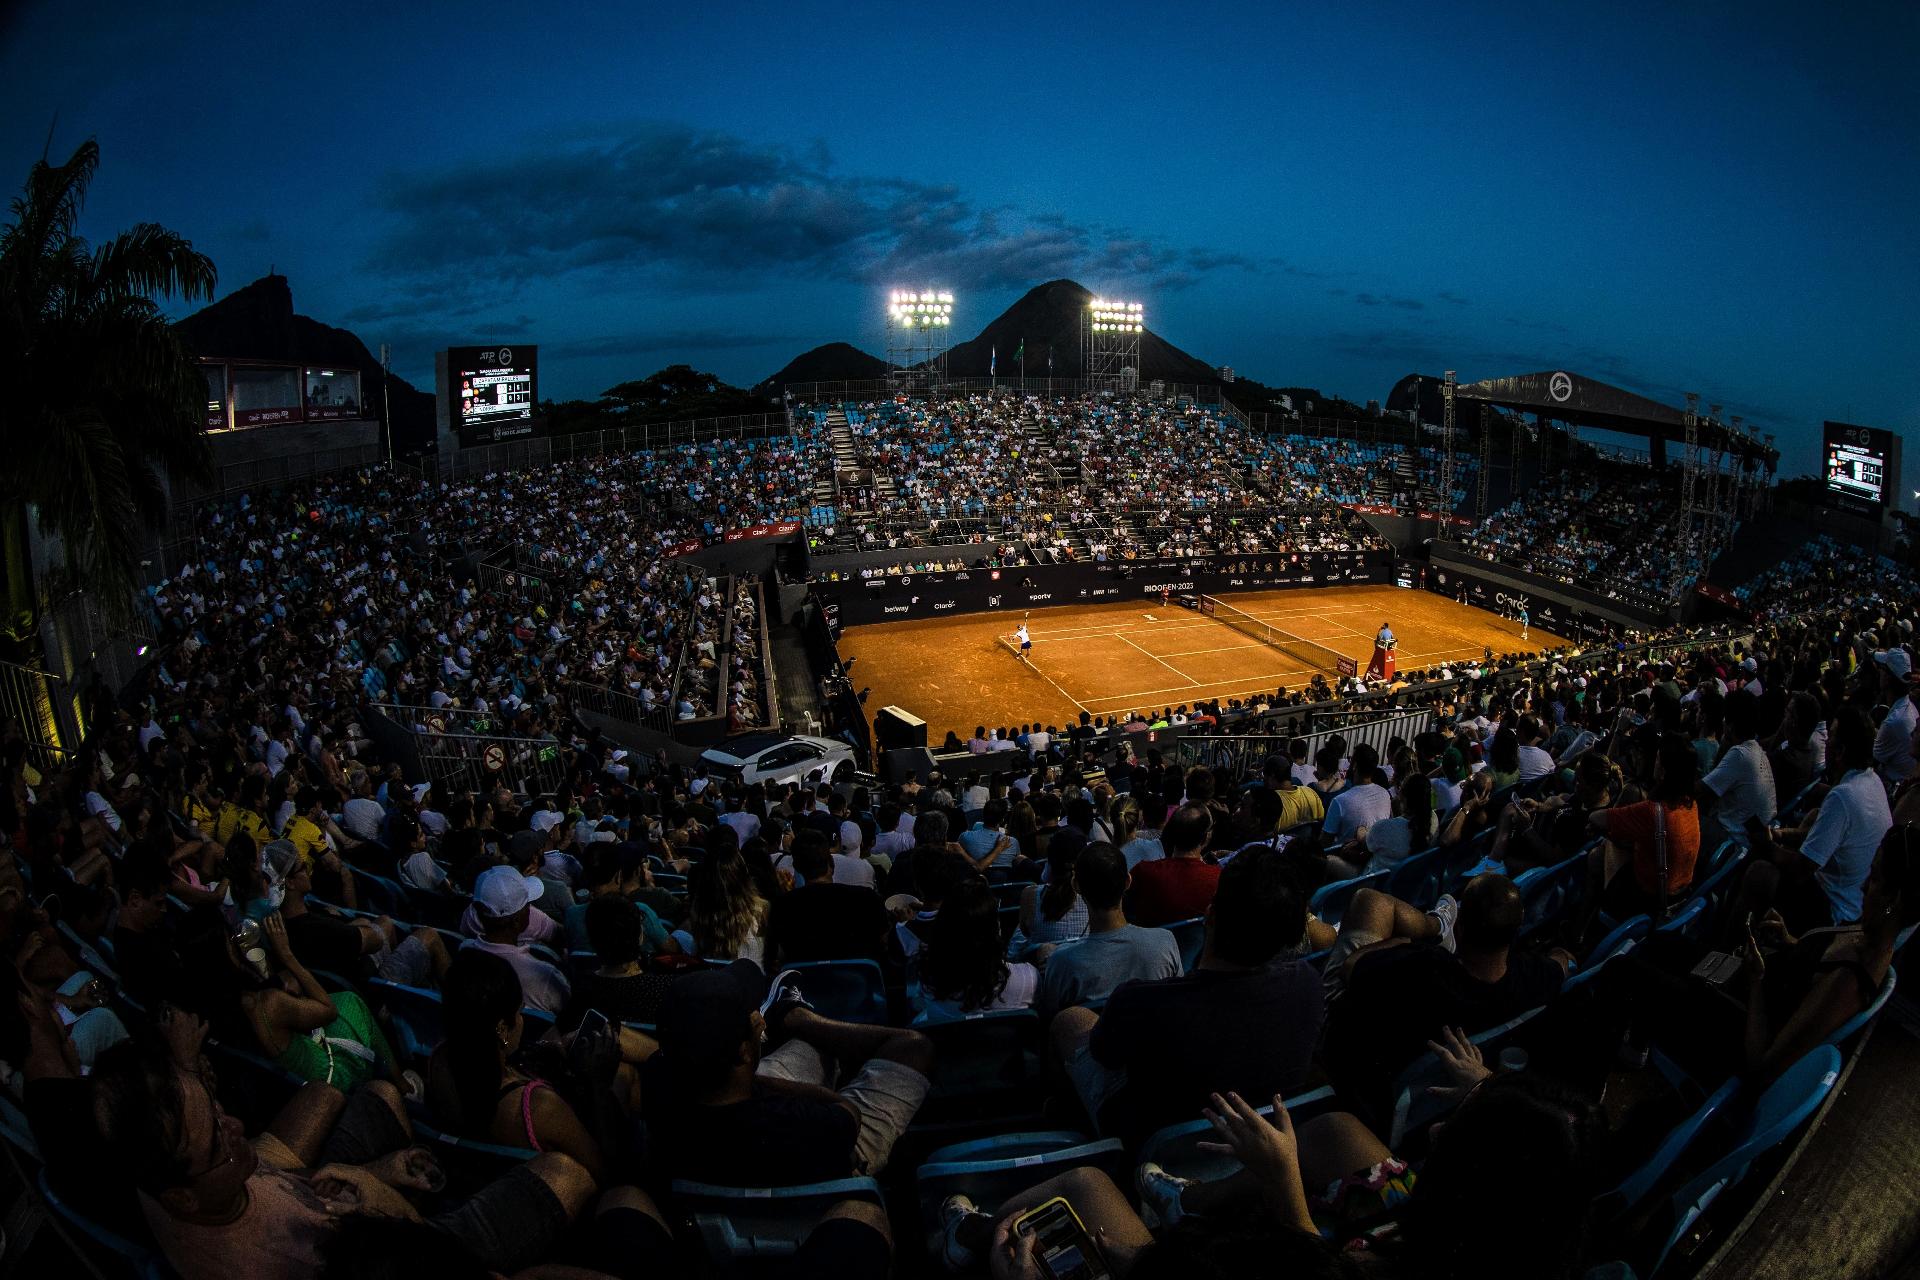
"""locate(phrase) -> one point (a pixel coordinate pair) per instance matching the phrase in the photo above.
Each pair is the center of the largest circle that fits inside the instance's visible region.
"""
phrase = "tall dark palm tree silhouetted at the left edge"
(101, 396)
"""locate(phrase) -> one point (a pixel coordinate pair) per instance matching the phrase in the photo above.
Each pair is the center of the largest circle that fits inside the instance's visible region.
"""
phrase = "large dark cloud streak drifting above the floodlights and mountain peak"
(677, 208)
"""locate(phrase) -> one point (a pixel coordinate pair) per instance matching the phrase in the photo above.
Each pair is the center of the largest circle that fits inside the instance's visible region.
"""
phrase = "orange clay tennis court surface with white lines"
(1107, 659)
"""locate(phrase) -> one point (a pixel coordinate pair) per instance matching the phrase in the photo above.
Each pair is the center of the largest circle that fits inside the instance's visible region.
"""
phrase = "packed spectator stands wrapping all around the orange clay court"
(1257, 991)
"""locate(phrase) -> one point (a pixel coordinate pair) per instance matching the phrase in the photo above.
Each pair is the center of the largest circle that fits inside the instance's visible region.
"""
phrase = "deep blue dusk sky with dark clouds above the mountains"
(1721, 201)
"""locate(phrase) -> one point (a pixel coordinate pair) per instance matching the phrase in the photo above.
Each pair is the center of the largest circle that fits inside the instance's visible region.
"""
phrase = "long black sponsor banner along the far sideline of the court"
(1047, 586)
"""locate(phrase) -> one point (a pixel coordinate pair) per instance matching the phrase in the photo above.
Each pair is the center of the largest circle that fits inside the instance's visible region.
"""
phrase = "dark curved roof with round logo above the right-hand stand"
(1583, 402)
